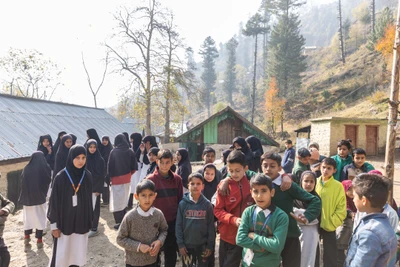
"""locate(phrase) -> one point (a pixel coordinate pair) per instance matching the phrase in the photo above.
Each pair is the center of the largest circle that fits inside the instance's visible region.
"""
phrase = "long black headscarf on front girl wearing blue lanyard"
(72, 219)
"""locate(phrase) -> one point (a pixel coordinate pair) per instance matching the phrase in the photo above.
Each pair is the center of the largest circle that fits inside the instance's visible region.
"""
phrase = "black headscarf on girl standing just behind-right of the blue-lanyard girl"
(95, 164)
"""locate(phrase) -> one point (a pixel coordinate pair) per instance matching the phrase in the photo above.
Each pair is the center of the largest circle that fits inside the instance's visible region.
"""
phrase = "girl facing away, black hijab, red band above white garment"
(121, 165)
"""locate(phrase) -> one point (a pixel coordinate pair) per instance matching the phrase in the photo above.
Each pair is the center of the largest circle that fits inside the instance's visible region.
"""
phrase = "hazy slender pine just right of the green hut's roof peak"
(230, 73)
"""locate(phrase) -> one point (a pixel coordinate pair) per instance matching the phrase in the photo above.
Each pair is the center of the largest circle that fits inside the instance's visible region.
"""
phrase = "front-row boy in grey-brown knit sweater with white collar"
(144, 229)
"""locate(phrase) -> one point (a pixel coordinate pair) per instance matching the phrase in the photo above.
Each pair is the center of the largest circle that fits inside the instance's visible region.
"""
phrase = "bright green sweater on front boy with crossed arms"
(267, 247)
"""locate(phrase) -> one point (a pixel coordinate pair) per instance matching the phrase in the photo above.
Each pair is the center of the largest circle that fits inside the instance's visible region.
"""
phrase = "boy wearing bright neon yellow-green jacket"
(334, 212)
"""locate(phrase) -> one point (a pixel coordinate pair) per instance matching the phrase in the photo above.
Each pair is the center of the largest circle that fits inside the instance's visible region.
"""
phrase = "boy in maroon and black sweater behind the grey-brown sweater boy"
(169, 194)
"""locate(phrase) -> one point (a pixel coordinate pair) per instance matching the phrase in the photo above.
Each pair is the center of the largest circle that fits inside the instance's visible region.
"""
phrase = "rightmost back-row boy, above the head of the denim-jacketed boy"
(358, 165)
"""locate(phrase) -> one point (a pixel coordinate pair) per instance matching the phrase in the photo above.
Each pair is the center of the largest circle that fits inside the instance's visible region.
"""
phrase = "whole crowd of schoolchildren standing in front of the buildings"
(264, 216)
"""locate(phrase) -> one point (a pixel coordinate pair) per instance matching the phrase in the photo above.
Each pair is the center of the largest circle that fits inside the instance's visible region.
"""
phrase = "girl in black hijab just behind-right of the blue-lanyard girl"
(95, 164)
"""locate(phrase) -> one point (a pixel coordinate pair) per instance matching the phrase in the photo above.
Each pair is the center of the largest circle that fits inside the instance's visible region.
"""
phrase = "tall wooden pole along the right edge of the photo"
(393, 109)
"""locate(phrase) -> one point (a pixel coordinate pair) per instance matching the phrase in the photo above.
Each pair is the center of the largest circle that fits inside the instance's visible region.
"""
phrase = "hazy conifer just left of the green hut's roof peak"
(209, 53)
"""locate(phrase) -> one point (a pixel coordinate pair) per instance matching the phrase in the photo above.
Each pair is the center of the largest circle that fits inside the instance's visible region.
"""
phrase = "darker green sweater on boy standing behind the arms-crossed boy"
(284, 200)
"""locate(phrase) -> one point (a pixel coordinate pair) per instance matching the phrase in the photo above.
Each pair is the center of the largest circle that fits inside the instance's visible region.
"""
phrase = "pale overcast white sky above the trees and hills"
(61, 30)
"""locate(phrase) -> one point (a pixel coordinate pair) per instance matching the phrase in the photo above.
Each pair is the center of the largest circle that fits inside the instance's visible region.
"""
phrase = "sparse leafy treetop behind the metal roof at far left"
(30, 74)
